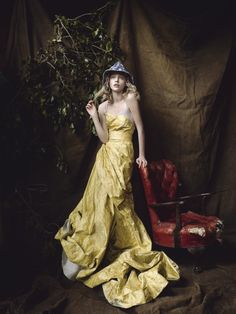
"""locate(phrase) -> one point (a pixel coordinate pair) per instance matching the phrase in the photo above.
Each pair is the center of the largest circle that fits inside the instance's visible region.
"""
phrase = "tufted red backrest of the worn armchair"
(160, 183)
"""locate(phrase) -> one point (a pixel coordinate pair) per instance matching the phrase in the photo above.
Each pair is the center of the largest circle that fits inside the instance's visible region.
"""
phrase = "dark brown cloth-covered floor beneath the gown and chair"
(46, 290)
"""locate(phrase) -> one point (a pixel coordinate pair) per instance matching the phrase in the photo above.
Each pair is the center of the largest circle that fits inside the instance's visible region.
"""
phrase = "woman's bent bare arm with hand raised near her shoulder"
(98, 120)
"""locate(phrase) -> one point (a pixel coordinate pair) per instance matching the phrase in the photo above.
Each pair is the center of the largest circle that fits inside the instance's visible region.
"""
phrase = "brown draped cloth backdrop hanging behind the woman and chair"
(184, 68)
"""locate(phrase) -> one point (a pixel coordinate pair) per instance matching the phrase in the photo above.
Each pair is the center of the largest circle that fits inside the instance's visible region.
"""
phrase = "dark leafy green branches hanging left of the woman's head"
(60, 79)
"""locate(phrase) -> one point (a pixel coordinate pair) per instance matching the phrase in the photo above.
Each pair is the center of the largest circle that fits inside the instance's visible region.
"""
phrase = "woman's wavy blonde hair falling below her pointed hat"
(105, 92)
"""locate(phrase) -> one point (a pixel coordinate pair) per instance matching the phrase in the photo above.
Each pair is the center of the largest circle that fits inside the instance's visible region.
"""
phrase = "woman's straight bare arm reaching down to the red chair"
(132, 103)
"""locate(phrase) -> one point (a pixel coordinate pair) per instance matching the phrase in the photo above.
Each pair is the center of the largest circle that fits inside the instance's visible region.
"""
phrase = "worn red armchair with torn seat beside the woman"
(171, 226)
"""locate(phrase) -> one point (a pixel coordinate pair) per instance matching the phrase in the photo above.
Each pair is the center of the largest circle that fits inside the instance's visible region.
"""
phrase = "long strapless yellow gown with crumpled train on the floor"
(104, 241)
